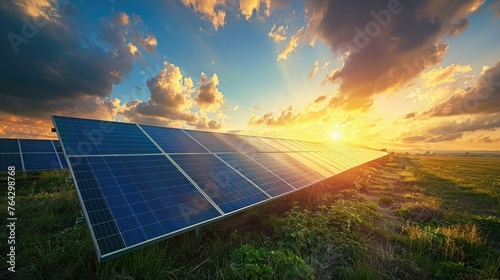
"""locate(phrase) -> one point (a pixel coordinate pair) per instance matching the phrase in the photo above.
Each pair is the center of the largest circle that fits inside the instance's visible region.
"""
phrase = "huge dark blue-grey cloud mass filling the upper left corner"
(71, 74)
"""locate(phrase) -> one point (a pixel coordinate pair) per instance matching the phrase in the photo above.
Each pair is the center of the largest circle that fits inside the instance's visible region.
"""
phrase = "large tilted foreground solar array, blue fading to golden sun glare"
(138, 184)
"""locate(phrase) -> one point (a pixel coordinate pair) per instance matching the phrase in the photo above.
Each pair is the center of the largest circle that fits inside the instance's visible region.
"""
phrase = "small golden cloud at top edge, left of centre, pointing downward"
(211, 11)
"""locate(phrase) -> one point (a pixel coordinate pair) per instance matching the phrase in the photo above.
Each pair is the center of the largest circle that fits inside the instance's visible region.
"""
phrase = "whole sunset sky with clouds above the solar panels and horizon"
(382, 73)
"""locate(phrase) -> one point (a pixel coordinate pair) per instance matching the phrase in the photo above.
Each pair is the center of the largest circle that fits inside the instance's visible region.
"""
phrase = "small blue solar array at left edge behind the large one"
(31, 155)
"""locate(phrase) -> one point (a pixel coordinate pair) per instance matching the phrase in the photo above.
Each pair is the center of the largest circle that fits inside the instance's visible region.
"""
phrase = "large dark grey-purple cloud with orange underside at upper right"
(385, 44)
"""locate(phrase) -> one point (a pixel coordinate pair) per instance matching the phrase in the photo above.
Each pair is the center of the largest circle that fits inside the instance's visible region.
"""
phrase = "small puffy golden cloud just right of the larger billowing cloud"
(209, 98)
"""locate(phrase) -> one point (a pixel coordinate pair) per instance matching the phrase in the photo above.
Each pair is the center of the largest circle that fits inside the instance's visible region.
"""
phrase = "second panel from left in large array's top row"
(173, 140)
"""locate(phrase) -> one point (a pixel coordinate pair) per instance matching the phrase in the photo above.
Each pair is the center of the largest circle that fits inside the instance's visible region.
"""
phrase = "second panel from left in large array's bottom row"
(222, 184)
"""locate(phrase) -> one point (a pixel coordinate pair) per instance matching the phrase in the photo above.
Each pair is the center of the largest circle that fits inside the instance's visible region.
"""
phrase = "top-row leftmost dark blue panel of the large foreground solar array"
(91, 137)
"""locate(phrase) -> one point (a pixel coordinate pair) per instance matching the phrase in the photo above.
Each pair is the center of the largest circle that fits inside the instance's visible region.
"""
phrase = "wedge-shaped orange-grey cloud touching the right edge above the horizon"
(482, 98)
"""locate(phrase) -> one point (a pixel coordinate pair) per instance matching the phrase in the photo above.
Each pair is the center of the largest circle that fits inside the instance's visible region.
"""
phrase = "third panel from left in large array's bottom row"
(263, 178)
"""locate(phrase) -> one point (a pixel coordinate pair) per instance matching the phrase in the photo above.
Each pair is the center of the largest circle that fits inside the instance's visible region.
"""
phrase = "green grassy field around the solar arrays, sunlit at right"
(403, 217)
